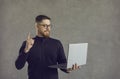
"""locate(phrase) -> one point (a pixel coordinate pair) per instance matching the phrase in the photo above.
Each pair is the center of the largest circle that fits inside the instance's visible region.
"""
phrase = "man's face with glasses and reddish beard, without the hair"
(44, 28)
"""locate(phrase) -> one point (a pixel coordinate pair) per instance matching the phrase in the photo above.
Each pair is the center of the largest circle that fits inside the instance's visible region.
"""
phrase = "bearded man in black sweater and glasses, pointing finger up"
(41, 52)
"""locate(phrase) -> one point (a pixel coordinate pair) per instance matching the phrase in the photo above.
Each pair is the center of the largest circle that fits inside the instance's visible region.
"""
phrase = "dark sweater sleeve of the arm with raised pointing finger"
(22, 57)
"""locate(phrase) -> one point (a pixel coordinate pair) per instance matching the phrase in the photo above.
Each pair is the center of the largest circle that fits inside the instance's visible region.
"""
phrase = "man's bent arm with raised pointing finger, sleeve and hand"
(23, 52)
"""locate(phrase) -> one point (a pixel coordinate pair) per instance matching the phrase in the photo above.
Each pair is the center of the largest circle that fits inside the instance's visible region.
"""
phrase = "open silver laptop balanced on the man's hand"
(77, 53)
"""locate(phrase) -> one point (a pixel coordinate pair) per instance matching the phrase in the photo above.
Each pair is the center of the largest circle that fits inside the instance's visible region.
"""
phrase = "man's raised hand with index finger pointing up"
(29, 43)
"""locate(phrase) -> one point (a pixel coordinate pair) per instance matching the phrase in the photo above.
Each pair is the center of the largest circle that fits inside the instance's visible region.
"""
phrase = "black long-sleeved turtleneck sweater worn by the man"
(45, 52)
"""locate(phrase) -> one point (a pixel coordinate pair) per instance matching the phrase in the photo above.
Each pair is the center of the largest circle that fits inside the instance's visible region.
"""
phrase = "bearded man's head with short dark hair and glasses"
(43, 25)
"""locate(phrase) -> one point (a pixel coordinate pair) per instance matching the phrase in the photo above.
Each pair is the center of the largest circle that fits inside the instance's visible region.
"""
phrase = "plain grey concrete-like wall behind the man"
(94, 21)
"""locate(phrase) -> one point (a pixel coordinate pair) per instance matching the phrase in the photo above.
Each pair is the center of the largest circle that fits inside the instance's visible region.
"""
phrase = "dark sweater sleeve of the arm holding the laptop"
(61, 57)
